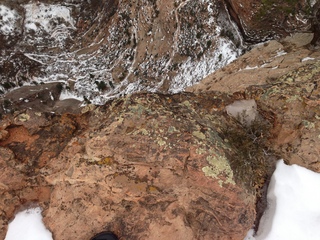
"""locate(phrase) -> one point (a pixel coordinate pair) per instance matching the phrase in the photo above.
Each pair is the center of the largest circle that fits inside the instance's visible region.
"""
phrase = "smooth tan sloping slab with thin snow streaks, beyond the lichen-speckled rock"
(263, 64)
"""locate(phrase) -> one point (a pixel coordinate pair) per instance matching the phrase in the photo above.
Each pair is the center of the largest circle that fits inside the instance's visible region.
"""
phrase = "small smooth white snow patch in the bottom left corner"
(28, 225)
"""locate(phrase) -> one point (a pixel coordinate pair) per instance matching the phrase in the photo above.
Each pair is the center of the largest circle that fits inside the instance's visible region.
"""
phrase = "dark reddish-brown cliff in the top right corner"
(261, 20)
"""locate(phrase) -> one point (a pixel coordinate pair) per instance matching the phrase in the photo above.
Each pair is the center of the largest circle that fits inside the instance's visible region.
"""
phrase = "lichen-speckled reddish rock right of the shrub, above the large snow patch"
(296, 131)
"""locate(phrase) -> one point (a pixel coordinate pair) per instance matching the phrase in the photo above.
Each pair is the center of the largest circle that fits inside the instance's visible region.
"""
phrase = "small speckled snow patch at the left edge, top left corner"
(8, 20)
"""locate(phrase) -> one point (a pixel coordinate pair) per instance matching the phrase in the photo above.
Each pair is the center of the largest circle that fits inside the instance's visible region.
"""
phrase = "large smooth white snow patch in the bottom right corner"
(293, 211)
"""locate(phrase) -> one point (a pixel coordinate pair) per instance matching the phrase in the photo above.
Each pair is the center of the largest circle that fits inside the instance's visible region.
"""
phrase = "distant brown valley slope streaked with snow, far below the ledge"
(108, 48)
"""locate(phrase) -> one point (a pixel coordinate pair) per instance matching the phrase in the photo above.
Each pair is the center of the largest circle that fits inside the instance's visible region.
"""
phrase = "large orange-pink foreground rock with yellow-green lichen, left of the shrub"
(145, 166)
